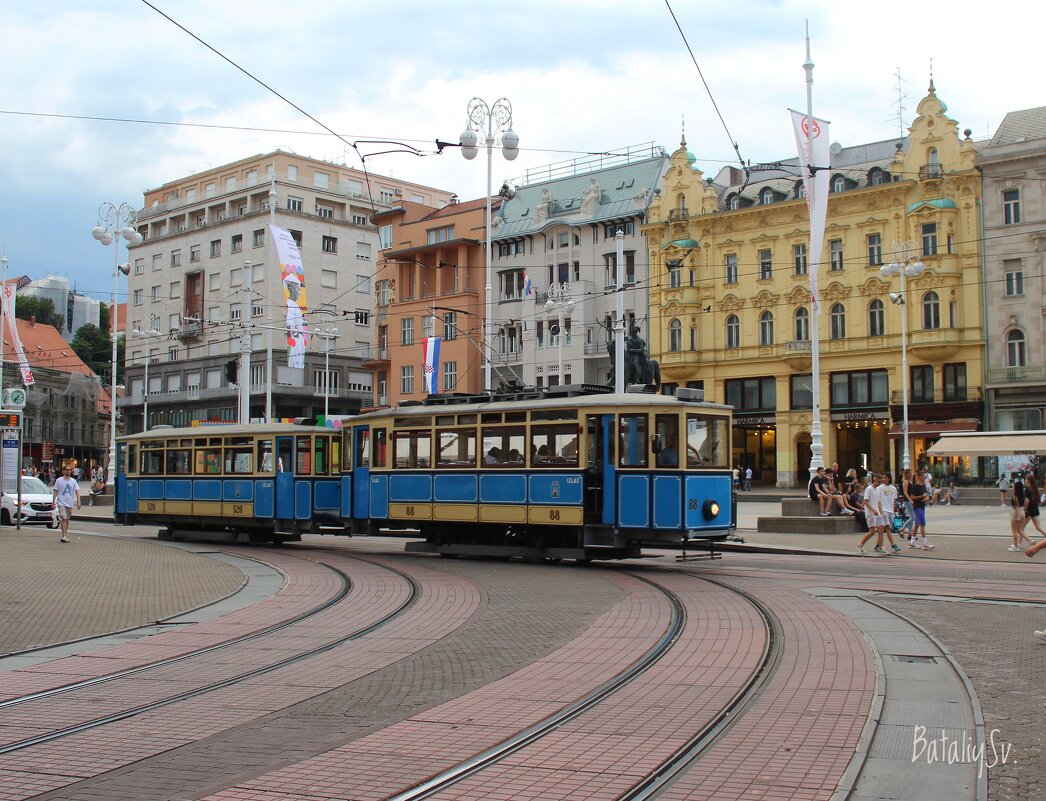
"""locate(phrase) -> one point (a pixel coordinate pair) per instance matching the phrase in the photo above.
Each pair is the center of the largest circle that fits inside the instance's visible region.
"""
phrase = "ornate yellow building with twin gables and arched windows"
(732, 312)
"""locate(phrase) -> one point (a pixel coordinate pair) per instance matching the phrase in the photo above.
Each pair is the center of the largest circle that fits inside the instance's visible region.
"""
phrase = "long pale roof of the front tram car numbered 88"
(618, 401)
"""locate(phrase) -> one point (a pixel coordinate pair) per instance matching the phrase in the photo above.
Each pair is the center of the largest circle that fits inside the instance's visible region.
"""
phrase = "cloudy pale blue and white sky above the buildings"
(586, 76)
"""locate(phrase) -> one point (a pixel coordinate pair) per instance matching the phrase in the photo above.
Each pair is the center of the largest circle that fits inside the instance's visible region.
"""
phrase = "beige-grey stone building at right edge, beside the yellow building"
(1014, 170)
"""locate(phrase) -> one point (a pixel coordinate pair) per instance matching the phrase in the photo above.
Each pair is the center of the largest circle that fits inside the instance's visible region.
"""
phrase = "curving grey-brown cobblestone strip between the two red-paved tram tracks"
(544, 610)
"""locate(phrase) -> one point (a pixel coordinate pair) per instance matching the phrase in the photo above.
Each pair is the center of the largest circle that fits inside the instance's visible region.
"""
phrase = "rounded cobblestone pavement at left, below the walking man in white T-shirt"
(54, 592)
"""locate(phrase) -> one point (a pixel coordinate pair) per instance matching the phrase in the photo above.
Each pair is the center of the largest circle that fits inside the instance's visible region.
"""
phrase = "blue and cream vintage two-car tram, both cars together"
(555, 476)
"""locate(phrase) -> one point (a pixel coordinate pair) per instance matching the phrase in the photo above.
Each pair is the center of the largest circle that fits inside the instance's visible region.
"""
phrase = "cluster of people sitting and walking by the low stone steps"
(877, 502)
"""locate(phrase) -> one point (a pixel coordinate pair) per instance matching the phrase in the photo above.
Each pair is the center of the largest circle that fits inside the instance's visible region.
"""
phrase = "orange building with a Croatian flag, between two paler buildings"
(429, 282)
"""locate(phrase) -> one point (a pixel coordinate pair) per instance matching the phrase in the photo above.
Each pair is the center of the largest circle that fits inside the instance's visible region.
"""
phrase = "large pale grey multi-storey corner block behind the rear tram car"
(193, 297)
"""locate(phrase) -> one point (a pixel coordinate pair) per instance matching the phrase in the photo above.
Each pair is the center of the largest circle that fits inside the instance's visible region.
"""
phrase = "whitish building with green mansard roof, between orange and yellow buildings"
(556, 263)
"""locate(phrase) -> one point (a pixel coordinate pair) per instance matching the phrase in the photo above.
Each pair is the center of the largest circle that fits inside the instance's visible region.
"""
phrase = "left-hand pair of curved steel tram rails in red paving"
(412, 601)
